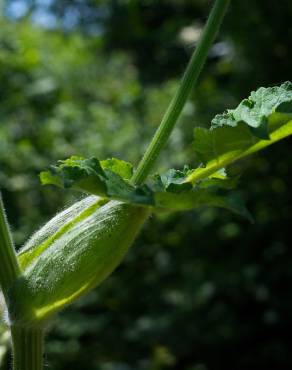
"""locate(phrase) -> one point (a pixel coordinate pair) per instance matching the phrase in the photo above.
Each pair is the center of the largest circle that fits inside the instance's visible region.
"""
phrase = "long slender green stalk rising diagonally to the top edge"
(188, 81)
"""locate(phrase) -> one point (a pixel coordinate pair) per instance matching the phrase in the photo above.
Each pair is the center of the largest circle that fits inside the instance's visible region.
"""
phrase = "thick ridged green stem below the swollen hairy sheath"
(28, 348)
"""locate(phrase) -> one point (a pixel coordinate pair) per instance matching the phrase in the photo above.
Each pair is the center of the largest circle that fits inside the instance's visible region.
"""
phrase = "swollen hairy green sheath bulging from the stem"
(72, 254)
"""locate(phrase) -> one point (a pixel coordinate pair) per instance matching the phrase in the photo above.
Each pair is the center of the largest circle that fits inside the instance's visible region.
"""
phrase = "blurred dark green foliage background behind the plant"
(201, 290)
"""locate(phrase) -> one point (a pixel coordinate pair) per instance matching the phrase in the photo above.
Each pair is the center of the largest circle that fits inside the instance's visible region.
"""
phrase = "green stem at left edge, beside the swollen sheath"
(9, 267)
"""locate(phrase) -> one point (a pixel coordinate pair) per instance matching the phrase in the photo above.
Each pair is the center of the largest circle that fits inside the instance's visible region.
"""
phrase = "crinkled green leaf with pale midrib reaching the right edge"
(261, 120)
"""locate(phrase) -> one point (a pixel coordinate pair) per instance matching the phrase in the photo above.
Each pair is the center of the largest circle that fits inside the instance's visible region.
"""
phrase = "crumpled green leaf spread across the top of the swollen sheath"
(167, 192)
